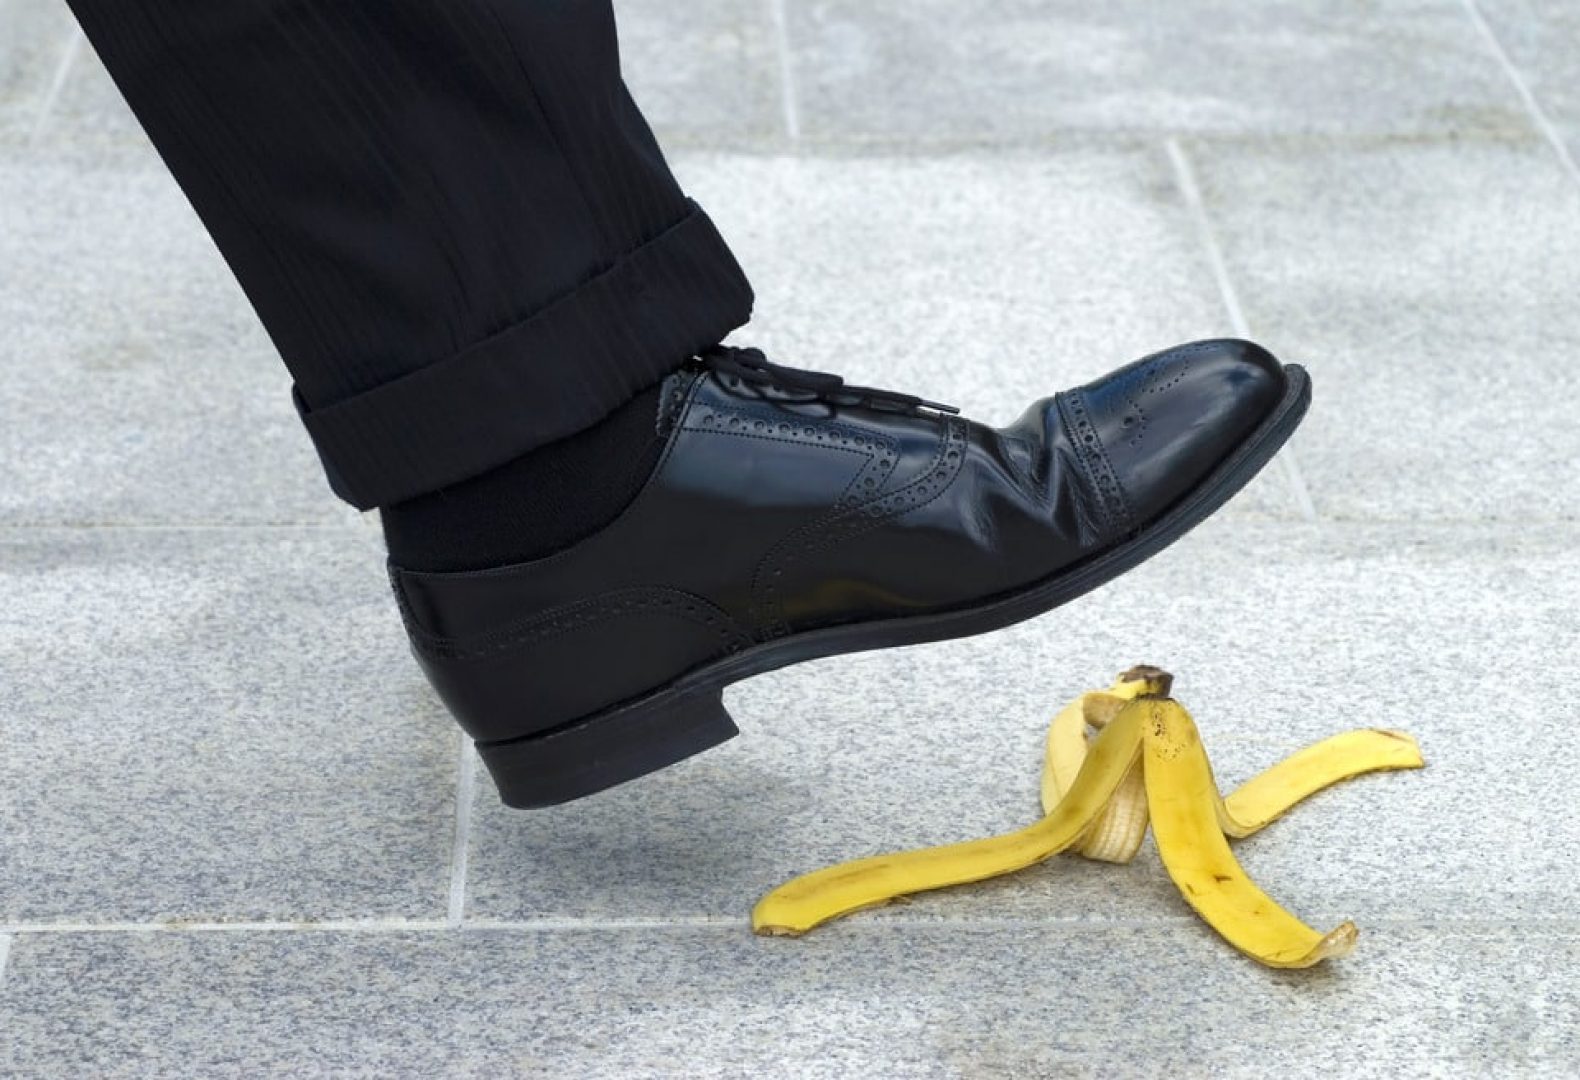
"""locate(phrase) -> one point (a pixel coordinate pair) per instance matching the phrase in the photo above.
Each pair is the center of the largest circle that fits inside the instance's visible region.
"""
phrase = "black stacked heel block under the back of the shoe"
(608, 749)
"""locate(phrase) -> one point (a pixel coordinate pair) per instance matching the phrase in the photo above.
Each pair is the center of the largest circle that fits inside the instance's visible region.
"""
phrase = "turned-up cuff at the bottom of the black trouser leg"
(541, 380)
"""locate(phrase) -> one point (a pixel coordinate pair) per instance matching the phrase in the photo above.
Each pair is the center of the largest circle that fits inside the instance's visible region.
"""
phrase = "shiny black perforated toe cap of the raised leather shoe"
(1168, 421)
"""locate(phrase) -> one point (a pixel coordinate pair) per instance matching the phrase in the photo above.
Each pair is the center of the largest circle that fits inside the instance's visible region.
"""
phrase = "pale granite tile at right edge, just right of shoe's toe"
(1431, 291)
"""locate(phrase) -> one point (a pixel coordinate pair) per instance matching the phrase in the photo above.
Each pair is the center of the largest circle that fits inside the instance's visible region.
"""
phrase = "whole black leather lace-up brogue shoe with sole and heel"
(794, 517)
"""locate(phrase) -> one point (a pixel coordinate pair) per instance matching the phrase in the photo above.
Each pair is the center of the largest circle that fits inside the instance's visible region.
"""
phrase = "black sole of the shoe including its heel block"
(688, 716)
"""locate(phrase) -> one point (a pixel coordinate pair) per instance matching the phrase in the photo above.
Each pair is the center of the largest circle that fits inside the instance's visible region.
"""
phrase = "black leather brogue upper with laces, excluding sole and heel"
(786, 501)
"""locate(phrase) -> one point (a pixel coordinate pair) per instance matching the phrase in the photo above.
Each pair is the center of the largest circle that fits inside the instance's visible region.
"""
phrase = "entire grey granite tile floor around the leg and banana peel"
(239, 838)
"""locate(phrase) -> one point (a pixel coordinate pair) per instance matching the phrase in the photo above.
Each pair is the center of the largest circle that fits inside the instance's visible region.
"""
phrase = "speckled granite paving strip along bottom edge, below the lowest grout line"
(1007, 1002)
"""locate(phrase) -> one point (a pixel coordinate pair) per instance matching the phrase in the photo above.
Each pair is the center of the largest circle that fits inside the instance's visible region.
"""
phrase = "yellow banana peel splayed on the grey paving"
(1118, 763)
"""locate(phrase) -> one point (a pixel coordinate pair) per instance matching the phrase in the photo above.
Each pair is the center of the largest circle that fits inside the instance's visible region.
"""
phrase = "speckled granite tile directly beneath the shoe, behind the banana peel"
(1281, 636)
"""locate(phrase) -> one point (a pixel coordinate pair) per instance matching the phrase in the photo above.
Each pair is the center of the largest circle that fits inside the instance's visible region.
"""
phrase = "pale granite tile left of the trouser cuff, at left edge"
(140, 386)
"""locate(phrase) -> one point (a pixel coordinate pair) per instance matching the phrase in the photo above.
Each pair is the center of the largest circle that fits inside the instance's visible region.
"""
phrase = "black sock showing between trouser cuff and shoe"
(536, 504)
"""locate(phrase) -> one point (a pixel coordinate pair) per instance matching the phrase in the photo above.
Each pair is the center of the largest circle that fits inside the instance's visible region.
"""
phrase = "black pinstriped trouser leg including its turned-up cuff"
(450, 216)
